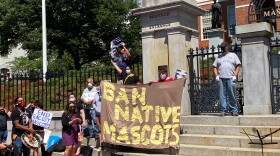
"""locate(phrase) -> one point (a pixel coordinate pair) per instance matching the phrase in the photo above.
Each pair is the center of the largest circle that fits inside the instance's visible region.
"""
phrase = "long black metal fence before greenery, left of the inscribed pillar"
(58, 85)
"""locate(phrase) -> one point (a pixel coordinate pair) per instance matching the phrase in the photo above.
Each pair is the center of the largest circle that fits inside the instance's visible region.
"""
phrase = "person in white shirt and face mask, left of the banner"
(90, 94)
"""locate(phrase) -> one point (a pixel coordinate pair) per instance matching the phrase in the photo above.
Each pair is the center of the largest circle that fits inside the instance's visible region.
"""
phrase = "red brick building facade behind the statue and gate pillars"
(237, 12)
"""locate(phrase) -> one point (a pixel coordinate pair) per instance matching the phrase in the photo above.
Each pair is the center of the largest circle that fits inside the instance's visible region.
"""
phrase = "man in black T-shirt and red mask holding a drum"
(22, 123)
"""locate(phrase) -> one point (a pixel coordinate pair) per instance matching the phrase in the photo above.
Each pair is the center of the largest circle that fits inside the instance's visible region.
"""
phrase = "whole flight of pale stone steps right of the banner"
(215, 136)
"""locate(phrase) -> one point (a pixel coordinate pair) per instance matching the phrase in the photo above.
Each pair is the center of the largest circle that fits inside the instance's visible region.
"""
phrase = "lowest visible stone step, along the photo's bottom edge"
(200, 150)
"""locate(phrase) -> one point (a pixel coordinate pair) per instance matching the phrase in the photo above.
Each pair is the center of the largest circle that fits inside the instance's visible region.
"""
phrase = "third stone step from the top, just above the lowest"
(227, 141)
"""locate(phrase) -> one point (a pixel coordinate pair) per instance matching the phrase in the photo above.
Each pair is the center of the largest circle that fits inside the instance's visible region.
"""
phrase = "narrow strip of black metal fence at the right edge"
(274, 60)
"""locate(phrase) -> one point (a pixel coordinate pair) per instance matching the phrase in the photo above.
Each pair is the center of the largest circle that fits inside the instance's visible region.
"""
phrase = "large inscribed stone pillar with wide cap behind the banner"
(169, 30)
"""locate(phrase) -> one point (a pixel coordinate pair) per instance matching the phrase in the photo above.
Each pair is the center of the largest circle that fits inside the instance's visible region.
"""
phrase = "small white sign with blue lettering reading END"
(41, 118)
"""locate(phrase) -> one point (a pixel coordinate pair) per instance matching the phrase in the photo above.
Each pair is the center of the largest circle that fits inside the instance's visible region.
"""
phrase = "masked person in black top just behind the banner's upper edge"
(129, 78)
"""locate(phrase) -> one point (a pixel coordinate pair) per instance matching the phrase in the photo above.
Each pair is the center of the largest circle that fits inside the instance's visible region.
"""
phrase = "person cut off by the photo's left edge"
(3, 126)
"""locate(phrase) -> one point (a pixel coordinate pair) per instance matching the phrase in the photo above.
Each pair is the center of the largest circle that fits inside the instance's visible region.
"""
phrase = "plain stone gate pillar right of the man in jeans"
(256, 80)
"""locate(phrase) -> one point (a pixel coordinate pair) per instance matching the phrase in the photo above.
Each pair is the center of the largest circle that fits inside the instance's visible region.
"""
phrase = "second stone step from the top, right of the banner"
(228, 129)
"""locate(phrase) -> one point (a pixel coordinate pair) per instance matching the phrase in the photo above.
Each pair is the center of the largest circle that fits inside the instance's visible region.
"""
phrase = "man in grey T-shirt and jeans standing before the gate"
(226, 68)
